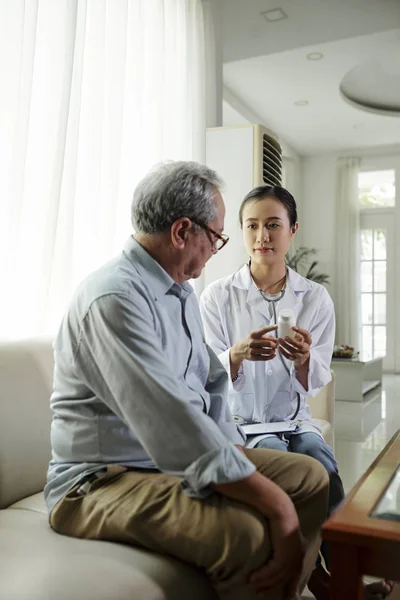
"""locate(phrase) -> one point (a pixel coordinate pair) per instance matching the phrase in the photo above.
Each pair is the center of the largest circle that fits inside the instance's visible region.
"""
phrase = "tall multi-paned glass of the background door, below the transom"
(373, 291)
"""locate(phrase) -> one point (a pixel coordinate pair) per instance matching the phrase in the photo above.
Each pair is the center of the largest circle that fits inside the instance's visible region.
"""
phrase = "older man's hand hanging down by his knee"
(285, 567)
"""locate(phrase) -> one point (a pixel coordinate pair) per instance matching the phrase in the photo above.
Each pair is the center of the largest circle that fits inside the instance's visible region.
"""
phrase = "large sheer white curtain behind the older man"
(93, 93)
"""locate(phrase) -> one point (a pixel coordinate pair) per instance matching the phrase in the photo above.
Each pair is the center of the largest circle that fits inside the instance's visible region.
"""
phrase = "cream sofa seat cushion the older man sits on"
(38, 564)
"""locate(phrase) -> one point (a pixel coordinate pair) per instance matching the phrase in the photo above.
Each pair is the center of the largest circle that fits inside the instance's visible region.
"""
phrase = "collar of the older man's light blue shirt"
(155, 277)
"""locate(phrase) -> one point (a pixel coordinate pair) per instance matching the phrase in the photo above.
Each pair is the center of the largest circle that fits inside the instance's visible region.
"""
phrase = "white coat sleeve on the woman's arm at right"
(323, 335)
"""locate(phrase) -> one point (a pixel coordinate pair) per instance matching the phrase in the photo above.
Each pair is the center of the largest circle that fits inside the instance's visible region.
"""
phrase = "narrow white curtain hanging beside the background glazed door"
(347, 242)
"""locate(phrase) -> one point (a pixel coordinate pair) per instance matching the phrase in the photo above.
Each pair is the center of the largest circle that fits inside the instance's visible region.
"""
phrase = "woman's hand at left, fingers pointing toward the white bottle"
(258, 345)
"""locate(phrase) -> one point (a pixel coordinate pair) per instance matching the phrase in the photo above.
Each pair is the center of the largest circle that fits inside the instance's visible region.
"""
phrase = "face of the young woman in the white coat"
(267, 232)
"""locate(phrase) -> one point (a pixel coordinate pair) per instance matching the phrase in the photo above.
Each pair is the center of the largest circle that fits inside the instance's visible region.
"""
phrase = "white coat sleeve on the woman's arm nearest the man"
(215, 337)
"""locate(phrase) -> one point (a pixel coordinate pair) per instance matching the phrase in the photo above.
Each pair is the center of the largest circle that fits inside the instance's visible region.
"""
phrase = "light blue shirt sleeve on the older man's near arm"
(120, 358)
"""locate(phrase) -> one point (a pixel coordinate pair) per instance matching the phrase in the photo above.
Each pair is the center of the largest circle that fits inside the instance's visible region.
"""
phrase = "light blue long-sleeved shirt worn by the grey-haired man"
(136, 385)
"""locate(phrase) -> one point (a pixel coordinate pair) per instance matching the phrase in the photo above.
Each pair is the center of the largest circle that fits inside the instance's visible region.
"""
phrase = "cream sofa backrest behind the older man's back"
(26, 379)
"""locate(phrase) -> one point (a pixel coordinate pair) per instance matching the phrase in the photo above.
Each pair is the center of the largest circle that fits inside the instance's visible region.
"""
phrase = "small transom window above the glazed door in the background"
(376, 189)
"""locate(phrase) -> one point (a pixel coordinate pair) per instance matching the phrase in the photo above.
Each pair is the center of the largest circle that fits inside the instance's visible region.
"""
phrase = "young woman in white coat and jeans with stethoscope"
(271, 378)
